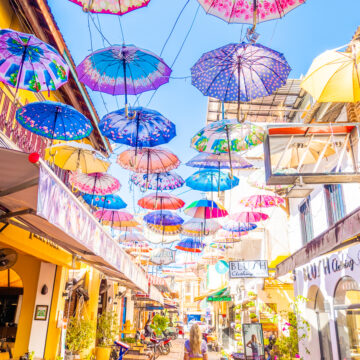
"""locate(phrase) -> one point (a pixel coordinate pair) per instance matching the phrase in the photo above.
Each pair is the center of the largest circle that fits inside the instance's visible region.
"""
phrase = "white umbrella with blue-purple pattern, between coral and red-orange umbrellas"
(158, 181)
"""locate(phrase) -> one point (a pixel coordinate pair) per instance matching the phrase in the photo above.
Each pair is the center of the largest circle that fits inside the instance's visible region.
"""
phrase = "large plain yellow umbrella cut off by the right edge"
(334, 76)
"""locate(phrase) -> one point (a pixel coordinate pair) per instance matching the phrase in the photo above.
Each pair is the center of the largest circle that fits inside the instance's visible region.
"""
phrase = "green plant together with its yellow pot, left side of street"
(105, 334)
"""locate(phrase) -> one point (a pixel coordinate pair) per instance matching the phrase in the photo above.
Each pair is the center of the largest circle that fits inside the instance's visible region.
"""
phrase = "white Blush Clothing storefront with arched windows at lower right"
(331, 283)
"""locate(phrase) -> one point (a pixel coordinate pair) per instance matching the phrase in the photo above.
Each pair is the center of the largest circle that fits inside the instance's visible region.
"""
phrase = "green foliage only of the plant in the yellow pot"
(106, 330)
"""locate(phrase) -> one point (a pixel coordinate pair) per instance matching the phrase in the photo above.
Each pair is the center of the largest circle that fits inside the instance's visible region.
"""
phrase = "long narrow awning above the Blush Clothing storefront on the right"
(341, 233)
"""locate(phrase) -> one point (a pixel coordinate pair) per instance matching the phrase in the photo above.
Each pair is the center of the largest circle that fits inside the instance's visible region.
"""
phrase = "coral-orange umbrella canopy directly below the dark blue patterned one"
(148, 160)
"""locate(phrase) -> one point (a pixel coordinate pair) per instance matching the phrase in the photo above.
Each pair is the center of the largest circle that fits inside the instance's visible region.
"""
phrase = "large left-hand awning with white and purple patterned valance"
(37, 201)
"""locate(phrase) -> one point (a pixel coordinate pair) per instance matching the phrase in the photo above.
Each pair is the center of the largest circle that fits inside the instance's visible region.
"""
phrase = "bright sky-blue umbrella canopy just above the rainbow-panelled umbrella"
(211, 180)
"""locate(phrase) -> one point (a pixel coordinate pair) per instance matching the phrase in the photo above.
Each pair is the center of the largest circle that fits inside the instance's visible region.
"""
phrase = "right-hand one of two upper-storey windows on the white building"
(334, 203)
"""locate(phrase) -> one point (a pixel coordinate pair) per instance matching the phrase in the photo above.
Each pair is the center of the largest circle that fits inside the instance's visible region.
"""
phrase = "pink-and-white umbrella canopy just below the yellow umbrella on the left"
(94, 183)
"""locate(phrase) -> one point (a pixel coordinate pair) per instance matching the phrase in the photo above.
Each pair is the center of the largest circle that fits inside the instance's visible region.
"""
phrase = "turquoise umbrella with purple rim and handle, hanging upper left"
(123, 70)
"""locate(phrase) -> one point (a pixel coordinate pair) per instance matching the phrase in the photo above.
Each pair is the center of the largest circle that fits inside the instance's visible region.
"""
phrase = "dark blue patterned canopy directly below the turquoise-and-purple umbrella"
(140, 128)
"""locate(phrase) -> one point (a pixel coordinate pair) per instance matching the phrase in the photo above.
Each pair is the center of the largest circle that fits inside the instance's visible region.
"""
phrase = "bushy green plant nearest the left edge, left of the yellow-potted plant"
(79, 335)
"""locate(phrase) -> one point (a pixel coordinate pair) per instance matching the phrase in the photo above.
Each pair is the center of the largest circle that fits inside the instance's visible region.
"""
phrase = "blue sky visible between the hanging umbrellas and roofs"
(301, 35)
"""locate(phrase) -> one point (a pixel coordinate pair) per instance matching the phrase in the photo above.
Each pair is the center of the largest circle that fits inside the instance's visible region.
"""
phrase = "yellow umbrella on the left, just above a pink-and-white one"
(76, 156)
